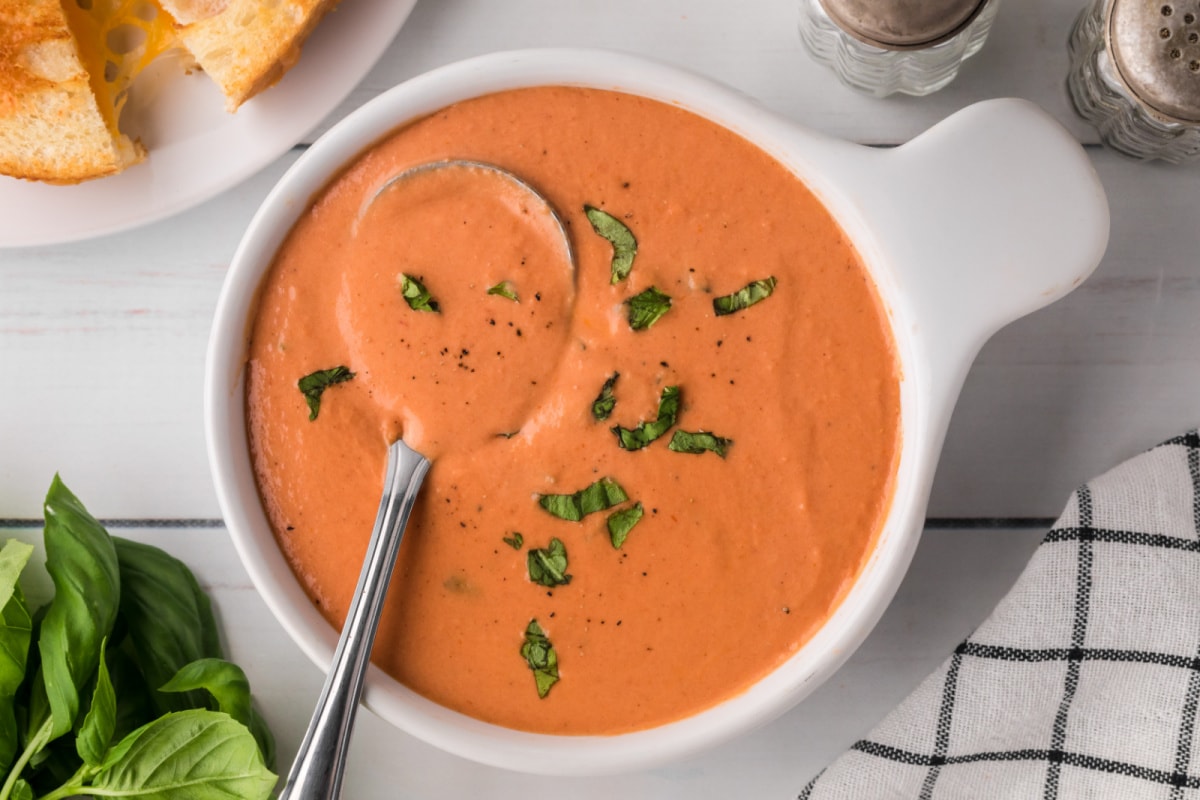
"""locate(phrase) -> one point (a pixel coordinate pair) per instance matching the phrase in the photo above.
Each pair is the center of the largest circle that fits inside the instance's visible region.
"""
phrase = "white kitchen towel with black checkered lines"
(1085, 681)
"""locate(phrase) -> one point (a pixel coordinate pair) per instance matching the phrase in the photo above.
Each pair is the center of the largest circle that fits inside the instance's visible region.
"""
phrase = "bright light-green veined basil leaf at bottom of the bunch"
(196, 754)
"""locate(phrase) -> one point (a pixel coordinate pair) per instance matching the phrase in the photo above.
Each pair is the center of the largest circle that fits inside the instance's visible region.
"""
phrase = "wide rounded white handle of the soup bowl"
(988, 216)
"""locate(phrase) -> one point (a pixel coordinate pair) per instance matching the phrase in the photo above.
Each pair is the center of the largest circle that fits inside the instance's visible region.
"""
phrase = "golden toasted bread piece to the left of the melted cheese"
(52, 128)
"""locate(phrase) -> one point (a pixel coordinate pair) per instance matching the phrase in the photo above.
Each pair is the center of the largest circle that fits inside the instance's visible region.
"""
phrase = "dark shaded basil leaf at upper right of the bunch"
(170, 621)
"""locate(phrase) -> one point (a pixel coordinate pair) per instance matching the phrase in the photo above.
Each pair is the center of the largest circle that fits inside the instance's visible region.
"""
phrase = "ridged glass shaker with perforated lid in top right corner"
(1136, 76)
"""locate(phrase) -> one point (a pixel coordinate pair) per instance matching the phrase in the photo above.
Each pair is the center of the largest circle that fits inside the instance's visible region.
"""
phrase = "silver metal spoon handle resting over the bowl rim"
(317, 771)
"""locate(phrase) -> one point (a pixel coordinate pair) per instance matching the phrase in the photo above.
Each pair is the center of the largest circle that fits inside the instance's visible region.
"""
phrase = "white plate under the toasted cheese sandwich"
(197, 149)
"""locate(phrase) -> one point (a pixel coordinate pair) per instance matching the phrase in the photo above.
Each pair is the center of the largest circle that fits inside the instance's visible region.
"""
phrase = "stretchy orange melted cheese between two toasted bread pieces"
(117, 41)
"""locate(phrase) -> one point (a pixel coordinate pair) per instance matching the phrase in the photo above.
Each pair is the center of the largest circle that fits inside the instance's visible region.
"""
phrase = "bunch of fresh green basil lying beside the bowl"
(122, 616)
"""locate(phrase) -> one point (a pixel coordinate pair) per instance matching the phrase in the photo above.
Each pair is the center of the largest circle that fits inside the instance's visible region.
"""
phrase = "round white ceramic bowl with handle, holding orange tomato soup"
(988, 216)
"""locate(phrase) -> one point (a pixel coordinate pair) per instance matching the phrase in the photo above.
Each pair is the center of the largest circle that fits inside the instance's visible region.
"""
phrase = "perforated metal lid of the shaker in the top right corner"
(1156, 50)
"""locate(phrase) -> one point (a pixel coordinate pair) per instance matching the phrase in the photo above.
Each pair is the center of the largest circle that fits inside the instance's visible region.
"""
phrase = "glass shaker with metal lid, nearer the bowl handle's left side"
(880, 47)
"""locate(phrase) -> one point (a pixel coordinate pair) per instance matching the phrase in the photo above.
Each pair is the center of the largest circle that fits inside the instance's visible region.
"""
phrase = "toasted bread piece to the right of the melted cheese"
(245, 46)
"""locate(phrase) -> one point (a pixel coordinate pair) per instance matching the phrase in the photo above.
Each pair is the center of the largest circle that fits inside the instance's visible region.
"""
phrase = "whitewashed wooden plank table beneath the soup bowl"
(103, 347)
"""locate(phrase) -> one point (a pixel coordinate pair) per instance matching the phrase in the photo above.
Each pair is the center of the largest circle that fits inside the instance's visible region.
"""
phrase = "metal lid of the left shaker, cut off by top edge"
(903, 25)
